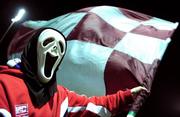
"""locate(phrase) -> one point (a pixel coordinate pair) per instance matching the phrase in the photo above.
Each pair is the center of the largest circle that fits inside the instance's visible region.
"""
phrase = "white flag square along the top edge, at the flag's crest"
(114, 17)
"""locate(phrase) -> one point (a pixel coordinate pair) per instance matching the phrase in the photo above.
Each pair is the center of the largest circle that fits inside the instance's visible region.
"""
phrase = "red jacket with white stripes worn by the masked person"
(15, 100)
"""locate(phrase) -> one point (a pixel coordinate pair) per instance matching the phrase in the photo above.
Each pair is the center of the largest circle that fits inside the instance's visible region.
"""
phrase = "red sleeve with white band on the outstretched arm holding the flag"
(104, 106)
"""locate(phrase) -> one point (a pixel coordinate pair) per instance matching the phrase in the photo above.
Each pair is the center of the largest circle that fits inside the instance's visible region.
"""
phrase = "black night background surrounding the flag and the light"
(164, 100)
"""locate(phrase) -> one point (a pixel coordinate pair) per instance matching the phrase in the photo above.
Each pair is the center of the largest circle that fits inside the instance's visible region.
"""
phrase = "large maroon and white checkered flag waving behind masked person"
(109, 48)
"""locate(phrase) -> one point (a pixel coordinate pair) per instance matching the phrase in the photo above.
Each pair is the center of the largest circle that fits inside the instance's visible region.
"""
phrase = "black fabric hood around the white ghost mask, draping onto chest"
(40, 93)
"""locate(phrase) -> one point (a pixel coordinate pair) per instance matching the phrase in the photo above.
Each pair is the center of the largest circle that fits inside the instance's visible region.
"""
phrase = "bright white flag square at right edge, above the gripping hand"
(143, 48)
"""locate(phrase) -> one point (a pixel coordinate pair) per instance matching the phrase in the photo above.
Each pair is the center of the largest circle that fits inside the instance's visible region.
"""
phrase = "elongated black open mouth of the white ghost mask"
(50, 61)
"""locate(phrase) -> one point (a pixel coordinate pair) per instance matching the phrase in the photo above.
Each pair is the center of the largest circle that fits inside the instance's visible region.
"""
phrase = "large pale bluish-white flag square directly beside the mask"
(84, 64)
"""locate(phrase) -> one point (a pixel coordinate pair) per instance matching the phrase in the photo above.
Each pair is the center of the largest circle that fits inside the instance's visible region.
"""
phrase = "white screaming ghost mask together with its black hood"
(40, 60)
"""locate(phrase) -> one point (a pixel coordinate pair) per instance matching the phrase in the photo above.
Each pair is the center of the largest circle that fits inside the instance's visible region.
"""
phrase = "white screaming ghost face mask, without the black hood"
(51, 47)
